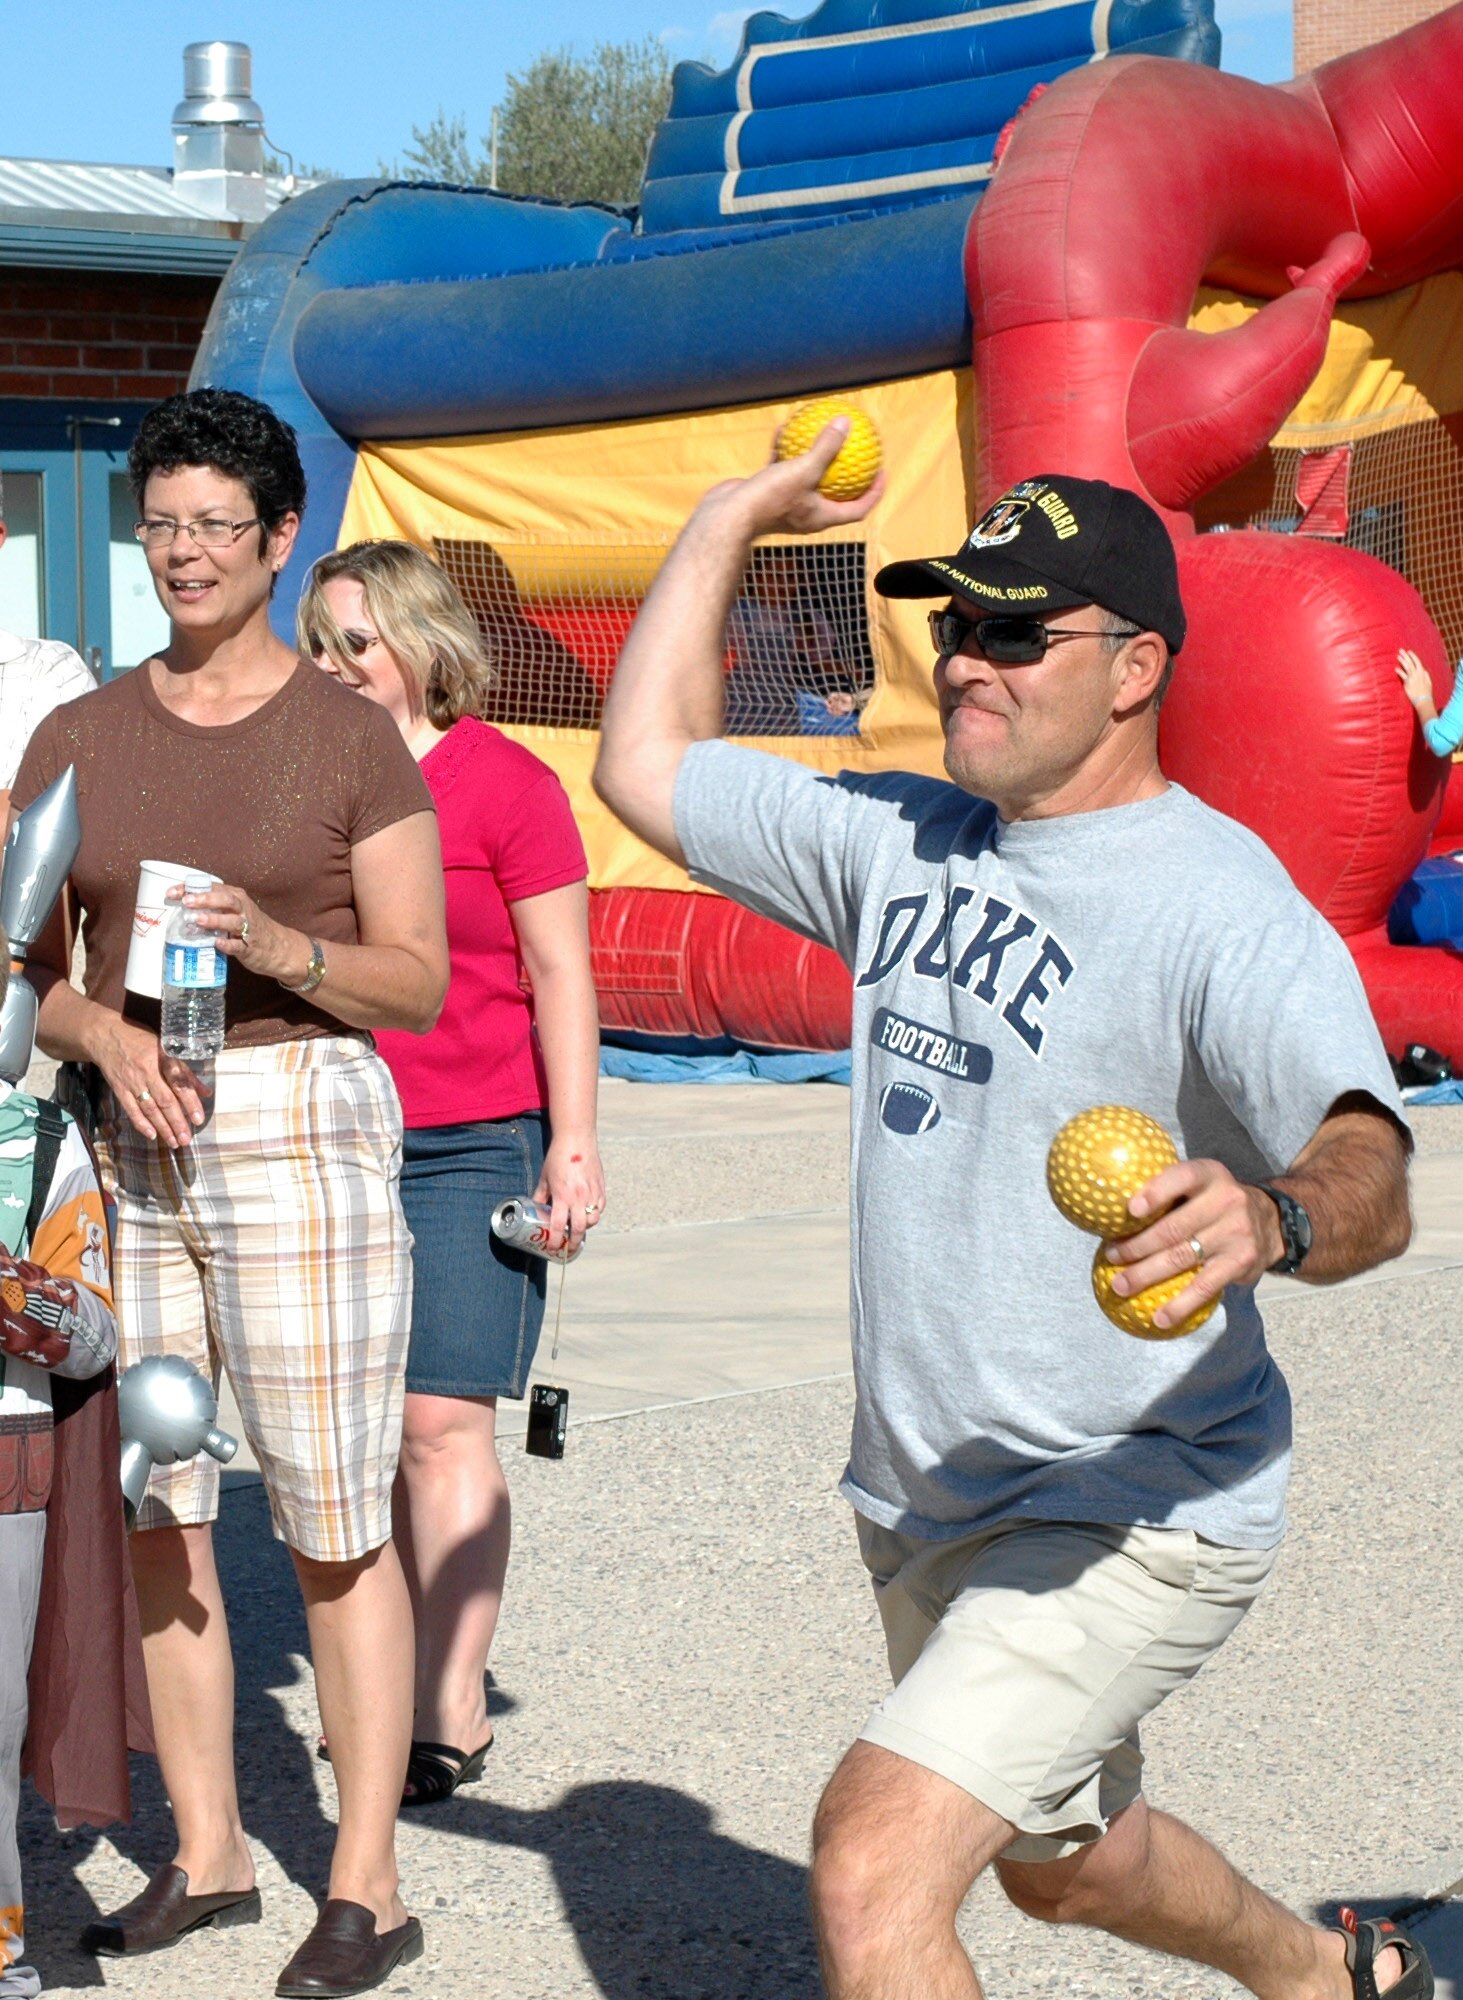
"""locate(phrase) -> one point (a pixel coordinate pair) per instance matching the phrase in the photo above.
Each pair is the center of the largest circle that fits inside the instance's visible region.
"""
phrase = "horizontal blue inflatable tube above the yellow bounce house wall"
(744, 323)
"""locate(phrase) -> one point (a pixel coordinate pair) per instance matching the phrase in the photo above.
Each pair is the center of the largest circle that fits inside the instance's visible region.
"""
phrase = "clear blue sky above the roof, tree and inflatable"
(343, 87)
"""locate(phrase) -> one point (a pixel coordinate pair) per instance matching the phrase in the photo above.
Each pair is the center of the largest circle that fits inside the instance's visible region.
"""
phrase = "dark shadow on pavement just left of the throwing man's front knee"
(663, 1907)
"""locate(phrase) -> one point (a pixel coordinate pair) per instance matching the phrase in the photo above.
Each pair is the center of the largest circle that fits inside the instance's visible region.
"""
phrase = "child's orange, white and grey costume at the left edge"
(69, 1245)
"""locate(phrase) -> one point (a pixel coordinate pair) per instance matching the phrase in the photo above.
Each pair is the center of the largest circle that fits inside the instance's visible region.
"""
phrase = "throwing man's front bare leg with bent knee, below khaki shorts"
(896, 1849)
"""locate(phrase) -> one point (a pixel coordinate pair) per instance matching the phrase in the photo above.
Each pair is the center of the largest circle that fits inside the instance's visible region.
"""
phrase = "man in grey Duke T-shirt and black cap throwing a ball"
(1062, 1521)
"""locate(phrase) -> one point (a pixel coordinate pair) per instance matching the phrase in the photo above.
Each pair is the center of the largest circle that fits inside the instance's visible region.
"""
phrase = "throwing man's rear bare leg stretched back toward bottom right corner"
(1158, 1883)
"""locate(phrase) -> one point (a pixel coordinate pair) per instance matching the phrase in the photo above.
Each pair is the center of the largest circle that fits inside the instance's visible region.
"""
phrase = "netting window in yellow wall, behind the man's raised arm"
(798, 655)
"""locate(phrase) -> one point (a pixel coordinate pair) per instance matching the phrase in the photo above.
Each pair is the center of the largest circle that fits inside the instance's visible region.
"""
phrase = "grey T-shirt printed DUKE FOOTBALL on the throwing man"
(1004, 979)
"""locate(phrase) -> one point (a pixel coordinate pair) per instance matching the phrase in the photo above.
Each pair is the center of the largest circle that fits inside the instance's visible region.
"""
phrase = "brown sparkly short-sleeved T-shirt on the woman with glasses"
(273, 805)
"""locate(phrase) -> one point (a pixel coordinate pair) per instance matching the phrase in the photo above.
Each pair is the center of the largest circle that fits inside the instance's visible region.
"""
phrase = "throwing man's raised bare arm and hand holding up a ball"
(667, 693)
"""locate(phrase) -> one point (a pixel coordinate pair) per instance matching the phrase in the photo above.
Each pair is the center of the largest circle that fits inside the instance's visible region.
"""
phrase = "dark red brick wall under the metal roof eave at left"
(99, 333)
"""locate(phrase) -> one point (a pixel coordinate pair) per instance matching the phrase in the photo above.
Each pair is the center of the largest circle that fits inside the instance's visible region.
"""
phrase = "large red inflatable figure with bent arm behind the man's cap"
(1124, 189)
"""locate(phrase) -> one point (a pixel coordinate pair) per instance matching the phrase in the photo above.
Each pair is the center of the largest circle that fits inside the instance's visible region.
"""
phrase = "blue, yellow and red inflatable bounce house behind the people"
(1028, 235)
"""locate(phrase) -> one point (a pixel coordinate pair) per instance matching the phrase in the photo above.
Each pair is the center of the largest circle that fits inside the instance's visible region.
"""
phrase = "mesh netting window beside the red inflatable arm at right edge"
(1400, 479)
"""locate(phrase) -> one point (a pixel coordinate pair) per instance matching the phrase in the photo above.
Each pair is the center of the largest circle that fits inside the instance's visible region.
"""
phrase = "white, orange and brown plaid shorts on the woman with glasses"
(275, 1247)
